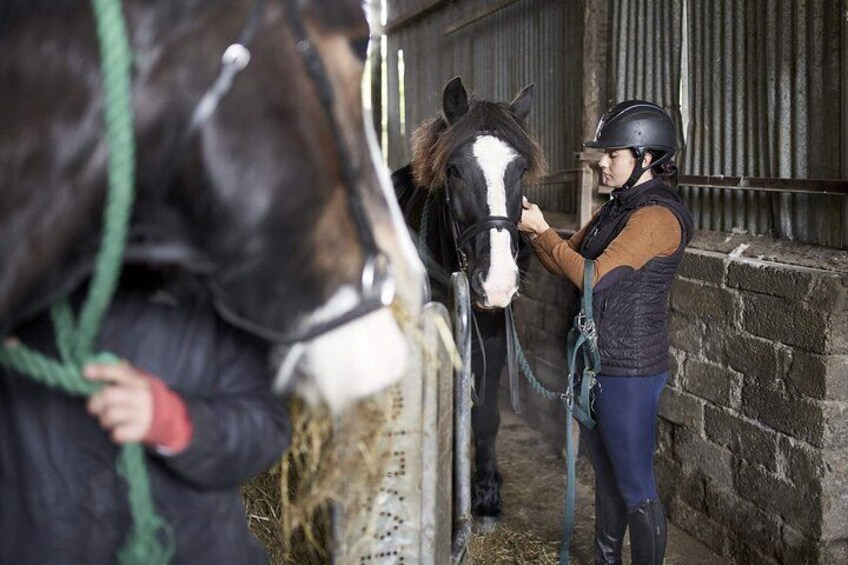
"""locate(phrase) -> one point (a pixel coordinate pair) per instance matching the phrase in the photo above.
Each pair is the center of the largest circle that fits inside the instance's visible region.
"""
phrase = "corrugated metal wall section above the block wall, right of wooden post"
(756, 88)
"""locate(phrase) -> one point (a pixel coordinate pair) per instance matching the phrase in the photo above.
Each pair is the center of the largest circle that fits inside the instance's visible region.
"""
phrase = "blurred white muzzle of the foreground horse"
(354, 360)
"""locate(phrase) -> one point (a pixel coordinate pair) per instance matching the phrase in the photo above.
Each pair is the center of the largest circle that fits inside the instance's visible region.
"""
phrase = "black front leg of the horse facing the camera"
(485, 419)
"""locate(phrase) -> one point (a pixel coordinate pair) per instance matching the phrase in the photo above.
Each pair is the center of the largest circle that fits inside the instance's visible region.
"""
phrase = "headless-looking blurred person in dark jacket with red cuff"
(193, 389)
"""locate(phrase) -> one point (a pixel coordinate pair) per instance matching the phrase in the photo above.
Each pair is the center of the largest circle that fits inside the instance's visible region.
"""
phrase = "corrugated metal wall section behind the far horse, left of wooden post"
(526, 41)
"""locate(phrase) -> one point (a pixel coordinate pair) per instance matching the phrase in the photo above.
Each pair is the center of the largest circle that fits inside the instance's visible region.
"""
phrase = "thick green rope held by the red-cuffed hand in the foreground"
(151, 539)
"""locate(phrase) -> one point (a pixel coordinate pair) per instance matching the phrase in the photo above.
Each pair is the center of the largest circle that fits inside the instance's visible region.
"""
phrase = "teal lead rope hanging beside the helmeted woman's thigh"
(582, 336)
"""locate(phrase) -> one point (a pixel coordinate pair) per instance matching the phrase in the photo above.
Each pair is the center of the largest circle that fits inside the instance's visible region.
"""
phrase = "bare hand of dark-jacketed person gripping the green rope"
(124, 406)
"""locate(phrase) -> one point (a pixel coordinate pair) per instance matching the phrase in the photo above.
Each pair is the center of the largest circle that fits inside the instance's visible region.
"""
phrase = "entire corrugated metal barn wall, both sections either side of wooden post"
(758, 88)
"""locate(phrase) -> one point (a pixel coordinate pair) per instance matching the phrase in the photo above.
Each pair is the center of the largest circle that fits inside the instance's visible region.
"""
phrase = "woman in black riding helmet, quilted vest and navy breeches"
(637, 240)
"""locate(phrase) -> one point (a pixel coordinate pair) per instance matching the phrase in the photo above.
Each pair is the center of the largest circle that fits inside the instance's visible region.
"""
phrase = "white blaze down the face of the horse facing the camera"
(501, 282)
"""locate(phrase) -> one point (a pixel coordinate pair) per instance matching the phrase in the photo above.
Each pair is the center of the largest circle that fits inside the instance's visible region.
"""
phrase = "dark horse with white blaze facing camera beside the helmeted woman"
(464, 182)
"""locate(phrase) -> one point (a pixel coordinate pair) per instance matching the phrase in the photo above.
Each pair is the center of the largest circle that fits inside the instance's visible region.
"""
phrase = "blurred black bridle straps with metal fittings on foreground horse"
(377, 282)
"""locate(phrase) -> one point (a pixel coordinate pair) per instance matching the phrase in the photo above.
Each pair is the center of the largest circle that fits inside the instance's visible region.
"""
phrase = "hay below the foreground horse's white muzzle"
(332, 460)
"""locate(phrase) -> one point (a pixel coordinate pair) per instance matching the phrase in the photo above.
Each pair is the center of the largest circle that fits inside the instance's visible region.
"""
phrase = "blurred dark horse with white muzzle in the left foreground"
(274, 196)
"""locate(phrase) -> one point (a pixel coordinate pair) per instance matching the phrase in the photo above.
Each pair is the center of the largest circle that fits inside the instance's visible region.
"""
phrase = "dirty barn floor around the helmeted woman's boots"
(534, 494)
